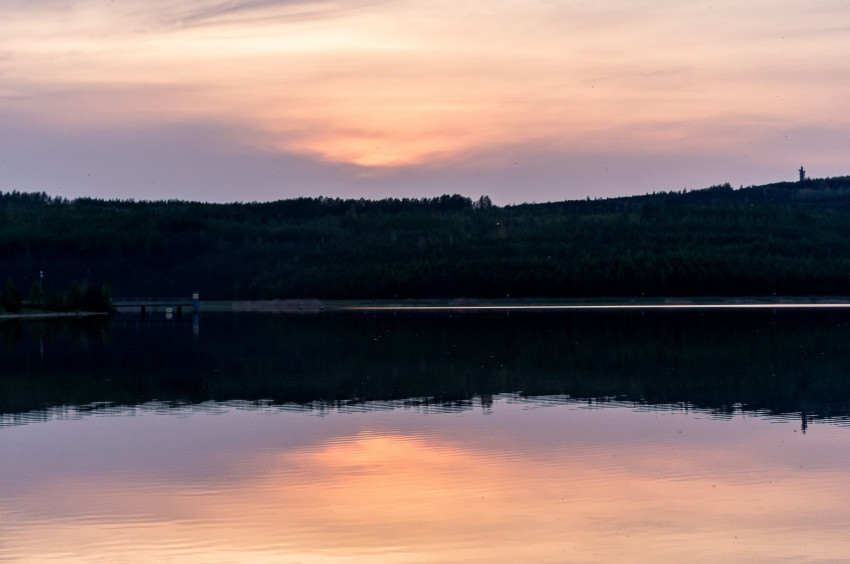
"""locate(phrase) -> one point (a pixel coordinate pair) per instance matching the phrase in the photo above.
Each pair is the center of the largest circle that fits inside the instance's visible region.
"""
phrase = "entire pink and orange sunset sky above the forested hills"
(532, 100)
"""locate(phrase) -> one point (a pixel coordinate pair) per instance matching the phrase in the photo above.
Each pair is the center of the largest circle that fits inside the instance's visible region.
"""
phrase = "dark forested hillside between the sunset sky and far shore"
(786, 239)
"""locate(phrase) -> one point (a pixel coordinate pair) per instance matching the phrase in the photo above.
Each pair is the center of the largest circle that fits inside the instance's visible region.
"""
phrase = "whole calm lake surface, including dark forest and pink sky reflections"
(556, 437)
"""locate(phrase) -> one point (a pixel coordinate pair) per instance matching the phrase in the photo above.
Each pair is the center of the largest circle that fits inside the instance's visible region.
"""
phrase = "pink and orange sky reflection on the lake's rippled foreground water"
(519, 480)
